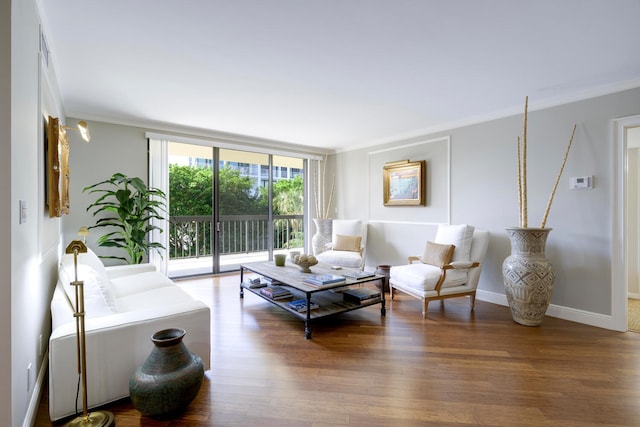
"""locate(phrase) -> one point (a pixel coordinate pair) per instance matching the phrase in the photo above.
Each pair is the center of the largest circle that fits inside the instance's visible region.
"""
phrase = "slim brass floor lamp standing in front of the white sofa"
(95, 418)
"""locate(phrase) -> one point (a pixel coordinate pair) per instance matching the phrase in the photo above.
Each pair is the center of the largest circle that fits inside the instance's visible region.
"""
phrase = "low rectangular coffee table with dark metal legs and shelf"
(330, 299)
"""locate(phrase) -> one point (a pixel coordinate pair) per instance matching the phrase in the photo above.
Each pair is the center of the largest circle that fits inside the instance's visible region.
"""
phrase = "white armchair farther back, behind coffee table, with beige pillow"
(347, 246)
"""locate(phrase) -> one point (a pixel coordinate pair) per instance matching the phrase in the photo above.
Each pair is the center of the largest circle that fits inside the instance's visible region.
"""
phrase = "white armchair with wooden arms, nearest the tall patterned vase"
(450, 266)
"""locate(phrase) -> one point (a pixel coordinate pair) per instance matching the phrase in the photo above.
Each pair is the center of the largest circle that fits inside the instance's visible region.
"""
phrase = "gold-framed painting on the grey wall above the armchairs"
(404, 183)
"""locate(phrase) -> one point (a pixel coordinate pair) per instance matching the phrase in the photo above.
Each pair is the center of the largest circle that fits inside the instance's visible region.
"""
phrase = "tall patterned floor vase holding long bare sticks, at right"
(528, 276)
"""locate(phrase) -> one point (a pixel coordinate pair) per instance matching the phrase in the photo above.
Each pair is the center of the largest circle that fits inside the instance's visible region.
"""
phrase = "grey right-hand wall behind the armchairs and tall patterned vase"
(484, 193)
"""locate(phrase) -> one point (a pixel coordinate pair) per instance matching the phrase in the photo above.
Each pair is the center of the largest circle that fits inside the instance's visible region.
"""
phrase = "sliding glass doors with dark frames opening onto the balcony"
(230, 206)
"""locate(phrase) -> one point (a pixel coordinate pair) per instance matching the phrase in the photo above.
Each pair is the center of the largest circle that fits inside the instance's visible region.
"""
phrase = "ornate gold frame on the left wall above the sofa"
(57, 153)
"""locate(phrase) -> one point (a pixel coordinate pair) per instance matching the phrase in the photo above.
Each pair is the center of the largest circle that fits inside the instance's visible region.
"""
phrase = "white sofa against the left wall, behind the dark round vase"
(124, 306)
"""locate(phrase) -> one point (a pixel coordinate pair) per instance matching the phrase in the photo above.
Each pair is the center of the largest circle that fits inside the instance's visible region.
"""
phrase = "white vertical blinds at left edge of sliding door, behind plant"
(159, 178)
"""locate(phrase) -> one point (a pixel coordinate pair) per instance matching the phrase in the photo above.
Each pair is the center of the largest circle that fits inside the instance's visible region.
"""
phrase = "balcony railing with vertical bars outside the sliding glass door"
(190, 236)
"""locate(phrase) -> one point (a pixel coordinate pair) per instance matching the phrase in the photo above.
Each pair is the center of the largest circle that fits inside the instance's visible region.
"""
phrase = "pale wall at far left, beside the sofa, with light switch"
(27, 264)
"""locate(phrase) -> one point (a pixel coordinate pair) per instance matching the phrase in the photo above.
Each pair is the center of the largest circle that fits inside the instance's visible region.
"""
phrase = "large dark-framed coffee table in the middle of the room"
(291, 277)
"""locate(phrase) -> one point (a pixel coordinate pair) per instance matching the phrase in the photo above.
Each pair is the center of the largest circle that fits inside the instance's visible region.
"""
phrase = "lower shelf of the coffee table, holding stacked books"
(330, 302)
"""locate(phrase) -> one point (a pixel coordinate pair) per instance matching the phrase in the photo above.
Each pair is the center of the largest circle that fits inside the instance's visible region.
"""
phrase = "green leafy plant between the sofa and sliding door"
(127, 206)
